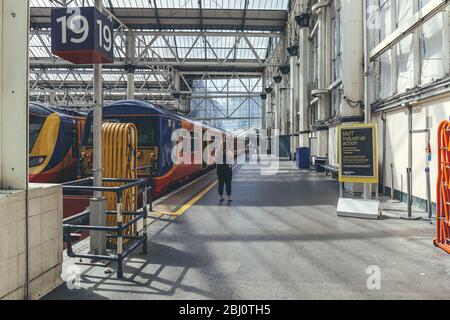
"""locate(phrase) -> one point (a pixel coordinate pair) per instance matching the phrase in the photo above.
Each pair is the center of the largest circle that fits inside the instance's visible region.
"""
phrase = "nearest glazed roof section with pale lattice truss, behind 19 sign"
(236, 34)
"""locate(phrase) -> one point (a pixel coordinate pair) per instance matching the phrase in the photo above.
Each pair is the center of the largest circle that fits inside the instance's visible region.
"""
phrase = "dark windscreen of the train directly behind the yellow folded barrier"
(146, 130)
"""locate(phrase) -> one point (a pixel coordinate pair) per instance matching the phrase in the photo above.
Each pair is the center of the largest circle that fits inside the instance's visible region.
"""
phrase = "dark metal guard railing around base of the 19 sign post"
(117, 232)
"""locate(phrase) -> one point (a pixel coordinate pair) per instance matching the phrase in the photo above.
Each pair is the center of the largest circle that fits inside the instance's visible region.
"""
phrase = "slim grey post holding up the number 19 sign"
(98, 205)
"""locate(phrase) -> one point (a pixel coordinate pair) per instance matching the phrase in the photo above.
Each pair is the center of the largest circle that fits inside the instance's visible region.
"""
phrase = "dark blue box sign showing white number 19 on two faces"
(82, 35)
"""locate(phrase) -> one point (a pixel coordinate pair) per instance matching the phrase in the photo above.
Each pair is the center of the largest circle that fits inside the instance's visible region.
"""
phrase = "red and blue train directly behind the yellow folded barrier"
(155, 127)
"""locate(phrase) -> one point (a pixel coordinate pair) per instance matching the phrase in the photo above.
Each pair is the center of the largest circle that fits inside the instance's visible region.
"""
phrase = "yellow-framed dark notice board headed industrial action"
(357, 147)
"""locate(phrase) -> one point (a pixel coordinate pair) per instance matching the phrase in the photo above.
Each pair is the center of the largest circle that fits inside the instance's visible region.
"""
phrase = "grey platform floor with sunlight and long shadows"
(280, 239)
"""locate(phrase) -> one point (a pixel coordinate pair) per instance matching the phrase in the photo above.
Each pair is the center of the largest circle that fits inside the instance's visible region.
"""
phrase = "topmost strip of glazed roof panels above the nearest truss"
(269, 15)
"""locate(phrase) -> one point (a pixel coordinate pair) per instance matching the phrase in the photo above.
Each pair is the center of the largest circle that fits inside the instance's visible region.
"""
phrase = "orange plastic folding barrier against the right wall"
(443, 189)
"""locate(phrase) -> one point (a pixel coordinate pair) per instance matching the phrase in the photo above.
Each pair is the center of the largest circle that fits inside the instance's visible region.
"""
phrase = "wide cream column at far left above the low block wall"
(14, 24)
